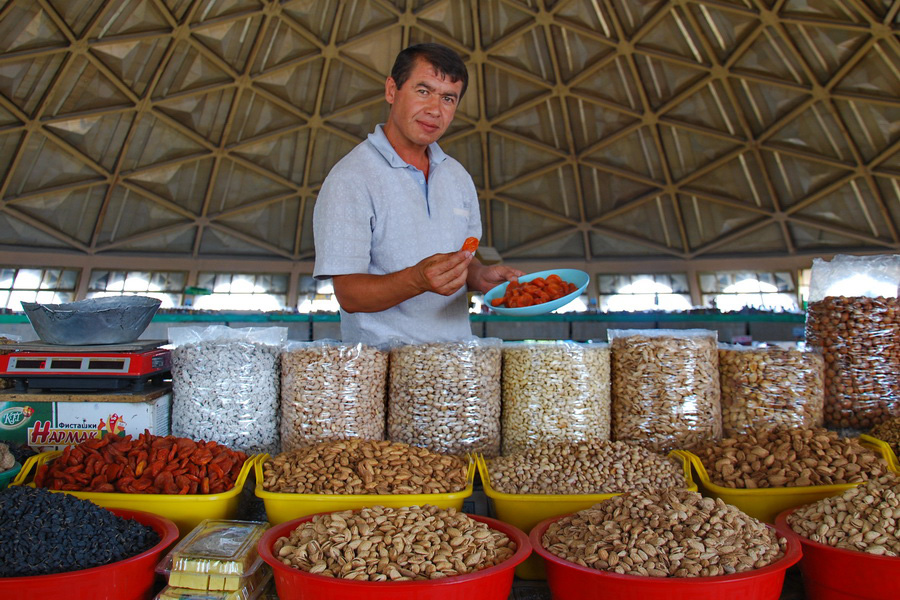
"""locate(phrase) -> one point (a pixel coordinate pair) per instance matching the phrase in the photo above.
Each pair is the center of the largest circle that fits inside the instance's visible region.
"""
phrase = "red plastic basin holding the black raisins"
(129, 579)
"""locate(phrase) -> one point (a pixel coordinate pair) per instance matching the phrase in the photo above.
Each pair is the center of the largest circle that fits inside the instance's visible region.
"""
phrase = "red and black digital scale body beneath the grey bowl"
(86, 368)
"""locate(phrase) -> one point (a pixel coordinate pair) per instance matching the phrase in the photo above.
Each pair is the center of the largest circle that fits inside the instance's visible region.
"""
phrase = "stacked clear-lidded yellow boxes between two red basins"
(217, 555)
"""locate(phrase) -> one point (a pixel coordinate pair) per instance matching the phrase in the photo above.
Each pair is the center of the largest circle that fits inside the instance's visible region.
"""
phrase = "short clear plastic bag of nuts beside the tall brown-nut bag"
(770, 386)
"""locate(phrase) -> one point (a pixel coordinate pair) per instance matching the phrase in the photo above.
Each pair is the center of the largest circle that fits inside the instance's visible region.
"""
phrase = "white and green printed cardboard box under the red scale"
(46, 422)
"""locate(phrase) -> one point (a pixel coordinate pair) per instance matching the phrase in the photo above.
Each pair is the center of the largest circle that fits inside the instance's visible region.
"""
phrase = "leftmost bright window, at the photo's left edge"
(46, 286)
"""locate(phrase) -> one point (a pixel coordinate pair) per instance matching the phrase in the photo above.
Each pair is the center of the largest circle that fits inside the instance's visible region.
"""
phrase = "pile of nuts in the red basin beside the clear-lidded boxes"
(393, 544)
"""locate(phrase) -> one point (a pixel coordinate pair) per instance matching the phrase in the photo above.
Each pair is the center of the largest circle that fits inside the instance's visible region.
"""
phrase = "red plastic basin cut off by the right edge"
(836, 574)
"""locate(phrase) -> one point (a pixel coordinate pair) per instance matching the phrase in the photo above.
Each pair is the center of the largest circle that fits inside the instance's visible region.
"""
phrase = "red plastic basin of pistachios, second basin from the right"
(569, 581)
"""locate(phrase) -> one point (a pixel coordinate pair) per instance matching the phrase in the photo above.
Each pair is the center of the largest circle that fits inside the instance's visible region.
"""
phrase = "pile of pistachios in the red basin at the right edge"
(865, 518)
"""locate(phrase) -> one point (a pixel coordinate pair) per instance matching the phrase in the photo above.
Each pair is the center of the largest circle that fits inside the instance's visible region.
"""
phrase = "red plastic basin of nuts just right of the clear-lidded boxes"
(493, 583)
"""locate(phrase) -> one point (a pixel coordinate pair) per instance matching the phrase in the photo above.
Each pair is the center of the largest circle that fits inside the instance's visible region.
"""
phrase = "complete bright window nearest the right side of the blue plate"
(627, 293)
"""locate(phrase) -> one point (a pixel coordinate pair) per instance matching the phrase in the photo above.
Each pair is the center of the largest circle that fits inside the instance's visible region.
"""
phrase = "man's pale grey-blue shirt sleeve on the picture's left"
(342, 225)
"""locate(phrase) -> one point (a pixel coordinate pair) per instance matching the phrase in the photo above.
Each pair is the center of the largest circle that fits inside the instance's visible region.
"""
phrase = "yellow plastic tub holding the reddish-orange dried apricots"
(186, 511)
